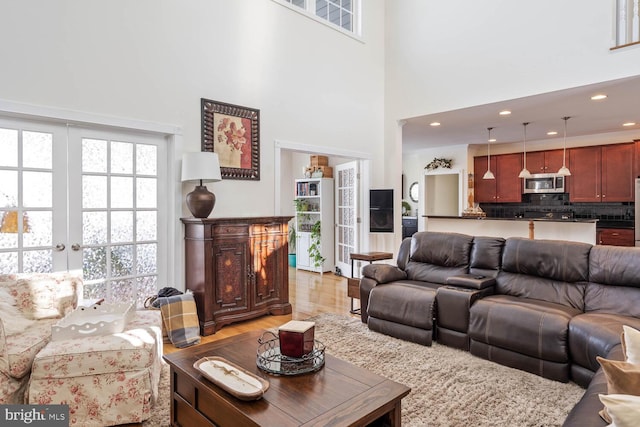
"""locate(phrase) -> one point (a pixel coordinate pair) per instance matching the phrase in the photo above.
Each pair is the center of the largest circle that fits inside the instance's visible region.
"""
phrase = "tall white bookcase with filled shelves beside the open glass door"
(314, 207)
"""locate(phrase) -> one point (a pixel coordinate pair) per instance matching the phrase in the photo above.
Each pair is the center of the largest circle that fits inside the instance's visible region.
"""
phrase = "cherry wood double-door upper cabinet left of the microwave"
(506, 187)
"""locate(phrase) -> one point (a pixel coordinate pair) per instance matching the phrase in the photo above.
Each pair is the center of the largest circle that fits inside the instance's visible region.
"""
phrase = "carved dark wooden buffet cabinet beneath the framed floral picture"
(237, 268)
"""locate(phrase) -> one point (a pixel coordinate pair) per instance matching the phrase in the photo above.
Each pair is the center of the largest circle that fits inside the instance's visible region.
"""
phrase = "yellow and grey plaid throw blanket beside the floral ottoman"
(180, 319)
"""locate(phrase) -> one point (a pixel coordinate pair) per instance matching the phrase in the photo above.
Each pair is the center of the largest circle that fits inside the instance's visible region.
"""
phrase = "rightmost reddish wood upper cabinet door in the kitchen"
(617, 173)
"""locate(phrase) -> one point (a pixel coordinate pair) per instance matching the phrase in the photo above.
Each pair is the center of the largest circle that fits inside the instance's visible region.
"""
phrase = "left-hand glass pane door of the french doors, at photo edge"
(32, 197)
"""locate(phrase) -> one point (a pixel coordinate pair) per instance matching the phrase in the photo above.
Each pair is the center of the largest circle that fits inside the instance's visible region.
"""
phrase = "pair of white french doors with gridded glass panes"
(81, 198)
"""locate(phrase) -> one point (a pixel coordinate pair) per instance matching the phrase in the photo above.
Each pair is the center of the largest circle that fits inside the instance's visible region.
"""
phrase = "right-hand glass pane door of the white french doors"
(114, 209)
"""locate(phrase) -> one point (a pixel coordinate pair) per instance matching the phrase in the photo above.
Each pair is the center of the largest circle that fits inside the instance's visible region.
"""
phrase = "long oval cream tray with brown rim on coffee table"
(232, 378)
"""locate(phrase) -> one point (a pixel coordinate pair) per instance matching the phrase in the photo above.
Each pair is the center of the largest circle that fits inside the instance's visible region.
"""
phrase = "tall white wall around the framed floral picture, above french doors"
(154, 60)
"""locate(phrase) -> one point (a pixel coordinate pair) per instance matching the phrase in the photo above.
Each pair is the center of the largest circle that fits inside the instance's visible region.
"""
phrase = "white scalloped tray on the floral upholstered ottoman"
(97, 319)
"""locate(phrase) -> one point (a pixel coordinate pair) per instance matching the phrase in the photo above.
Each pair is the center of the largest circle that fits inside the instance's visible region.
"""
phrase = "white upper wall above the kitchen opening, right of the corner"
(448, 55)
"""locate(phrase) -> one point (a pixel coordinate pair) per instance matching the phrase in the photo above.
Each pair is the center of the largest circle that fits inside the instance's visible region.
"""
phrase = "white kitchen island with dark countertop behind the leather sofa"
(577, 230)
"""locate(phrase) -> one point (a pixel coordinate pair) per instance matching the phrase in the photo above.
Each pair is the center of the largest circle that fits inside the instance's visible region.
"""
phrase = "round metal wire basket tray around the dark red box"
(270, 360)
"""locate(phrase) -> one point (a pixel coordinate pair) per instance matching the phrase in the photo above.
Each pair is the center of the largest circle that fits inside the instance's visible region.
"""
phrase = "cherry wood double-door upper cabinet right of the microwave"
(602, 173)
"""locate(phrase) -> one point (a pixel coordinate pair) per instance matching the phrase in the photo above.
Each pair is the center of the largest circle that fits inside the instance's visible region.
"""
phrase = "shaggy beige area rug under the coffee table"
(449, 387)
